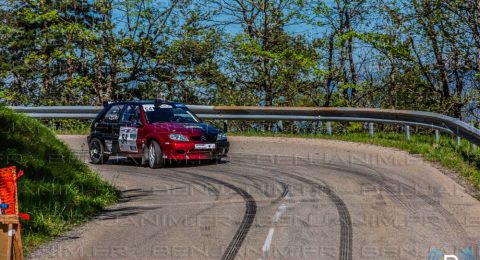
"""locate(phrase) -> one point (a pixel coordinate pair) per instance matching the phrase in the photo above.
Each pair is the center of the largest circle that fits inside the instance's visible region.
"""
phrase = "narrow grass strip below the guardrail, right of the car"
(464, 160)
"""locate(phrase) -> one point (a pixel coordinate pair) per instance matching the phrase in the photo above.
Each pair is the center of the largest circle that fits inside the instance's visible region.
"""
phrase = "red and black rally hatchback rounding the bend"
(153, 132)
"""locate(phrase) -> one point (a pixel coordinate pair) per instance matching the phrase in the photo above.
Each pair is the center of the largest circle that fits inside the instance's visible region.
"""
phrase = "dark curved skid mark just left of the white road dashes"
(248, 217)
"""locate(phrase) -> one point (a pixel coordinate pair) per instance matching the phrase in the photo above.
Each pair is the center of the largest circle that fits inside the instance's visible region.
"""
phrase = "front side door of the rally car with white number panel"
(131, 131)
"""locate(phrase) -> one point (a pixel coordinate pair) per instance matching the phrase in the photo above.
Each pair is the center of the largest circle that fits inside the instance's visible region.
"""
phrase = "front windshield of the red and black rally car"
(167, 113)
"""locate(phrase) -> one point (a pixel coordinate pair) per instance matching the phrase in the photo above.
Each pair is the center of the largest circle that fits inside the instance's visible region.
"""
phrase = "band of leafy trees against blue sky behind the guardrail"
(394, 54)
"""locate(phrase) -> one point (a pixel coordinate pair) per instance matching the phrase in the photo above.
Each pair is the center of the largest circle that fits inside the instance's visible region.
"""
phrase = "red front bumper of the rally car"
(187, 151)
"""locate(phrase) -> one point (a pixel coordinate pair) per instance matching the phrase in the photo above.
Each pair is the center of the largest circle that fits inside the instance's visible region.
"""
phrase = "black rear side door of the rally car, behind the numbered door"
(109, 125)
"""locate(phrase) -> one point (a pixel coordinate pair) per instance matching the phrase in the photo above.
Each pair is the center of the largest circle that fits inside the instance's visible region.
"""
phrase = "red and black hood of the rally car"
(187, 128)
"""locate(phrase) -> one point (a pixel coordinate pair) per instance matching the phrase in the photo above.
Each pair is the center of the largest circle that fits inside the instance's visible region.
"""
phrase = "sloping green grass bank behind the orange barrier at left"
(58, 190)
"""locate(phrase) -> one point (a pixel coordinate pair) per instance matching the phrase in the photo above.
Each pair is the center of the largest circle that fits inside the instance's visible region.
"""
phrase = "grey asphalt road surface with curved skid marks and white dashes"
(277, 198)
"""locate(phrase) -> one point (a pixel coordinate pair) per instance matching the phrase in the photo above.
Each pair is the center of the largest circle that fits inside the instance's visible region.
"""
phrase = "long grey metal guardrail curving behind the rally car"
(388, 116)
